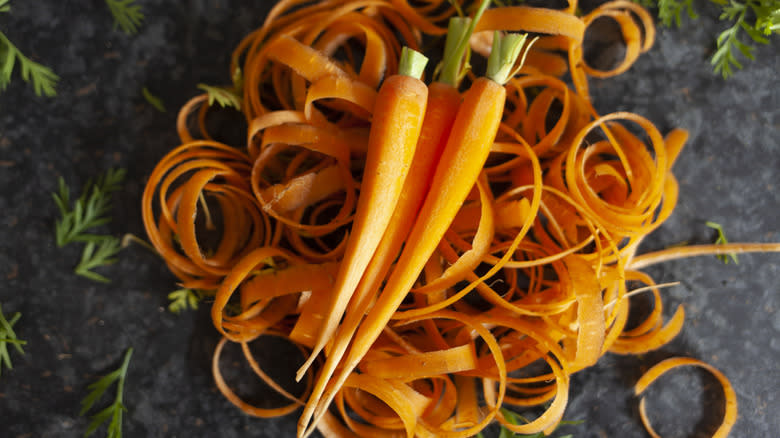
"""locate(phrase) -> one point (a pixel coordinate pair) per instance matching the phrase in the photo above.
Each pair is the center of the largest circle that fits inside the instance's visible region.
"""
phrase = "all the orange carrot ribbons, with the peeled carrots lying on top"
(438, 251)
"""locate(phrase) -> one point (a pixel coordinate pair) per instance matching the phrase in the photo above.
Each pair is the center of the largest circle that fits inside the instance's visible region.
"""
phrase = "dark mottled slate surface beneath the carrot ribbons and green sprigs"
(77, 329)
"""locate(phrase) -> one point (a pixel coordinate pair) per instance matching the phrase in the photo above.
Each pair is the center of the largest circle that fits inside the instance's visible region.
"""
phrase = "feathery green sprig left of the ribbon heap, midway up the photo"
(90, 210)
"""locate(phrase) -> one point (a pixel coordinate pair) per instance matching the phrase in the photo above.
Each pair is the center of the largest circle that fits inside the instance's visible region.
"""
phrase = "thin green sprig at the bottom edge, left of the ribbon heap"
(114, 412)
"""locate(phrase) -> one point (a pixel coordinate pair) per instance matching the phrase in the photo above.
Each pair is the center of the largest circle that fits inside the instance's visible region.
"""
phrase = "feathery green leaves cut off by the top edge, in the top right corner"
(758, 19)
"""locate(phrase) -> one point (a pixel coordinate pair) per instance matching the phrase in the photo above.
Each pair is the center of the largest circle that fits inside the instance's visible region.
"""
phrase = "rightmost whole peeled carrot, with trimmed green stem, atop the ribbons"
(466, 151)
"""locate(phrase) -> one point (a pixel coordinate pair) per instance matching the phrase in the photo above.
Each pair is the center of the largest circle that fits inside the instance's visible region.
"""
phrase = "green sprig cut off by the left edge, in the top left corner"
(43, 79)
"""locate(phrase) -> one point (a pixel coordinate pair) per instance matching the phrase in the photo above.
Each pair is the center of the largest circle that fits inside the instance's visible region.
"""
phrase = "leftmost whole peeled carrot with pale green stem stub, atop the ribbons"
(395, 128)
